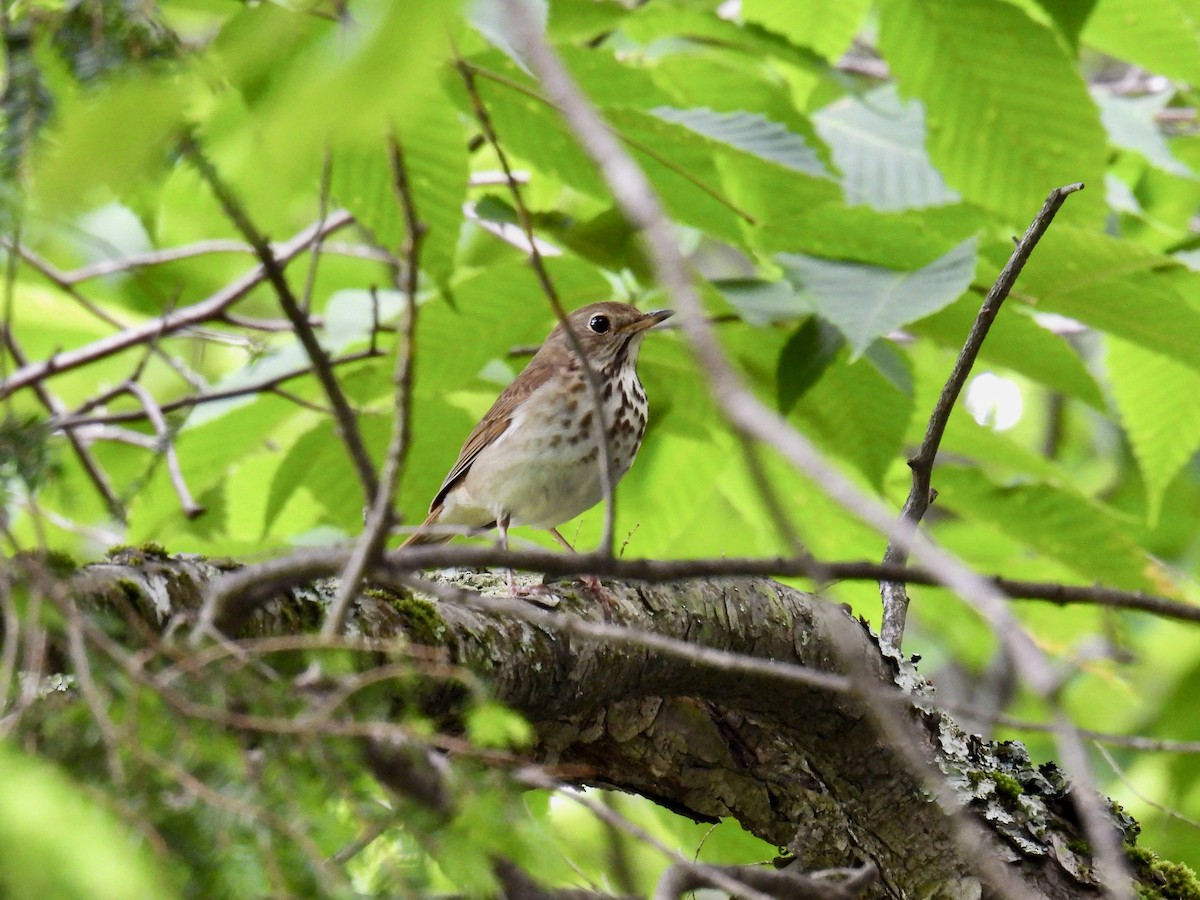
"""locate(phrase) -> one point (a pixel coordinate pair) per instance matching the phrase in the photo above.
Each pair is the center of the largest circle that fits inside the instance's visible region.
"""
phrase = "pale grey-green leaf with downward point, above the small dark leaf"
(867, 303)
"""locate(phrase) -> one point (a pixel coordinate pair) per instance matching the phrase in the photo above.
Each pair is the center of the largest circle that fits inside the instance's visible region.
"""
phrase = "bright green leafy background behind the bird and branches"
(847, 214)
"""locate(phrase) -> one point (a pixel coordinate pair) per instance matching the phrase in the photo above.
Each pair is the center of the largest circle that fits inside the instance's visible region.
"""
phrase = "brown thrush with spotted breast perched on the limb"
(535, 458)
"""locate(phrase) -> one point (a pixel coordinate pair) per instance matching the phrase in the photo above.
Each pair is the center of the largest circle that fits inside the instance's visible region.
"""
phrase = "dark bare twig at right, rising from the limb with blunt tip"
(896, 597)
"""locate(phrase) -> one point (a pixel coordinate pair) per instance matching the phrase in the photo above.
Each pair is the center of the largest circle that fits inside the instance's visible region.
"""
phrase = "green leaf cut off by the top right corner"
(1165, 37)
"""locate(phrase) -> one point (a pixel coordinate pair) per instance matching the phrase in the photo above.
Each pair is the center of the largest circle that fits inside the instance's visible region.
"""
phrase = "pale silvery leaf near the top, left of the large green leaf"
(879, 143)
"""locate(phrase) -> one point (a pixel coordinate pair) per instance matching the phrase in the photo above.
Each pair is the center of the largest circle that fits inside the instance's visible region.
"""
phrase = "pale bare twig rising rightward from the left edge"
(171, 323)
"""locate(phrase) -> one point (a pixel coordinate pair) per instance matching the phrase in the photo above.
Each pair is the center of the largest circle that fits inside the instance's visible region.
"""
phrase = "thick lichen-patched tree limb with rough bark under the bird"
(800, 765)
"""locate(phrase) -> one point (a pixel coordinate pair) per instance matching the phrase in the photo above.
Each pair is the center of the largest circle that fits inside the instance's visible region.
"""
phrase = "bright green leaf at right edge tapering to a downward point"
(1159, 400)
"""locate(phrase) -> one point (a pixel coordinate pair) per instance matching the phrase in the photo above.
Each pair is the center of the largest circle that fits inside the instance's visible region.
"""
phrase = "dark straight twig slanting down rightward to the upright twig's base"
(344, 415)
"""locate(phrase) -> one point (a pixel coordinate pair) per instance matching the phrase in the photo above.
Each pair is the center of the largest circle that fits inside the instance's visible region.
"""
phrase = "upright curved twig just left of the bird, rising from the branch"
(382, 513)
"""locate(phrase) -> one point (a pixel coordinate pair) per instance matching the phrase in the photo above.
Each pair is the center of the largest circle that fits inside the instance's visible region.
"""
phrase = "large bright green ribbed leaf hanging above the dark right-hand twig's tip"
(1009, 117)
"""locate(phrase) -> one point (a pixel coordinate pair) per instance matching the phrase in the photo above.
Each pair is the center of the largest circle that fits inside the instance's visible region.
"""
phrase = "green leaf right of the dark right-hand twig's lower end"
(1076, 531)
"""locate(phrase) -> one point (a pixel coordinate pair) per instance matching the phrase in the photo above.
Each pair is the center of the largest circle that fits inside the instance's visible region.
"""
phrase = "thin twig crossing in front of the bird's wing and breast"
(605, 463)
